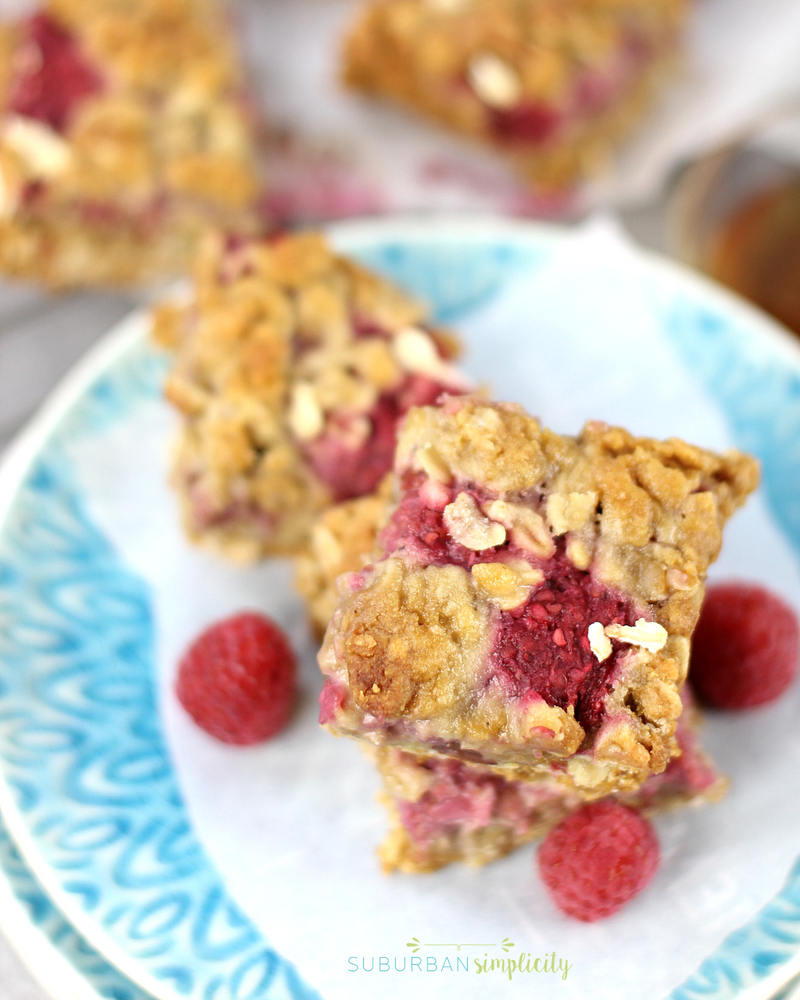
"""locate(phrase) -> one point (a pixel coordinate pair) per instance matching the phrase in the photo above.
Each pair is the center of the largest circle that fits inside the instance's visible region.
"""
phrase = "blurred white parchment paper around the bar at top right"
(350, 155)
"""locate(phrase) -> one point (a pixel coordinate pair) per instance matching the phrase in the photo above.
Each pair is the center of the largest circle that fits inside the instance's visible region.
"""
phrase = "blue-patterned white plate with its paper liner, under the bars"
(207, 872)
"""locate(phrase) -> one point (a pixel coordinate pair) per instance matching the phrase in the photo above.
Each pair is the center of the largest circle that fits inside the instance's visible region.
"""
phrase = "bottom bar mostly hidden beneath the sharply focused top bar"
(444, 810)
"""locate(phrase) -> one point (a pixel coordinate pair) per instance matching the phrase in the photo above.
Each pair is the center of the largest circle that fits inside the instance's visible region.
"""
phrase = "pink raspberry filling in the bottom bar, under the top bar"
(460, 798)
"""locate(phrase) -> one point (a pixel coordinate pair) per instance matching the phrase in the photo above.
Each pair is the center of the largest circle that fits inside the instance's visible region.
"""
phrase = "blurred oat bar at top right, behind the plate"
(553, 85)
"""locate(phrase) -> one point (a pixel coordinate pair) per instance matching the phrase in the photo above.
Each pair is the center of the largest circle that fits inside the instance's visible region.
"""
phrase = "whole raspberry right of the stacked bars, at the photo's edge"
(746, 647)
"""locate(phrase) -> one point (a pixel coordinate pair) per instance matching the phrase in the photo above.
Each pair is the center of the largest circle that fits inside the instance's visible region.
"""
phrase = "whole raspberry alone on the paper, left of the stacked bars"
(237, 679)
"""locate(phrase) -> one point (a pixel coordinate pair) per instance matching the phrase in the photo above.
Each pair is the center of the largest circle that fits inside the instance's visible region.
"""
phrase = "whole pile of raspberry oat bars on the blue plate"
(509, 611)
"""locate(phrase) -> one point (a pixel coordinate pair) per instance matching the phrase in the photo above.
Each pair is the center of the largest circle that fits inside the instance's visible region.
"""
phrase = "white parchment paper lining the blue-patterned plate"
(292, 825)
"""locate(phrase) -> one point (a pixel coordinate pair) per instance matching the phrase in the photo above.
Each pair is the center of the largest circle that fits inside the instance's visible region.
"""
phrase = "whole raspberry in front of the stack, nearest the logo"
(597, 859)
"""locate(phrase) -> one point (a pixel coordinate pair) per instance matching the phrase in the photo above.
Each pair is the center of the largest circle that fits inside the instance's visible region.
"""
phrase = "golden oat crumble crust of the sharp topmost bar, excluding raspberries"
(645, 517)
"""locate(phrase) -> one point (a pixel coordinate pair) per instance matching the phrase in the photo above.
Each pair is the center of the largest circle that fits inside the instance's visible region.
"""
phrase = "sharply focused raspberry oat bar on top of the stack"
(535, 595)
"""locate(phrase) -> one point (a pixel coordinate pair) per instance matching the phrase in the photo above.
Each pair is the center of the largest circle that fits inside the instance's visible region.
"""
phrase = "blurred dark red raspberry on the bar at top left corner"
(55, 77)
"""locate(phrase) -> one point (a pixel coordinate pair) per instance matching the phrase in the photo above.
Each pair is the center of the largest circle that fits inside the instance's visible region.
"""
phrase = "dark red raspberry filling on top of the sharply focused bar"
(541, 647)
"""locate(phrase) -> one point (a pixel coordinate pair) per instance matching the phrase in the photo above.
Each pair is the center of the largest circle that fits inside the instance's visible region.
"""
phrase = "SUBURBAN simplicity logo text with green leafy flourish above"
(502, 959)
